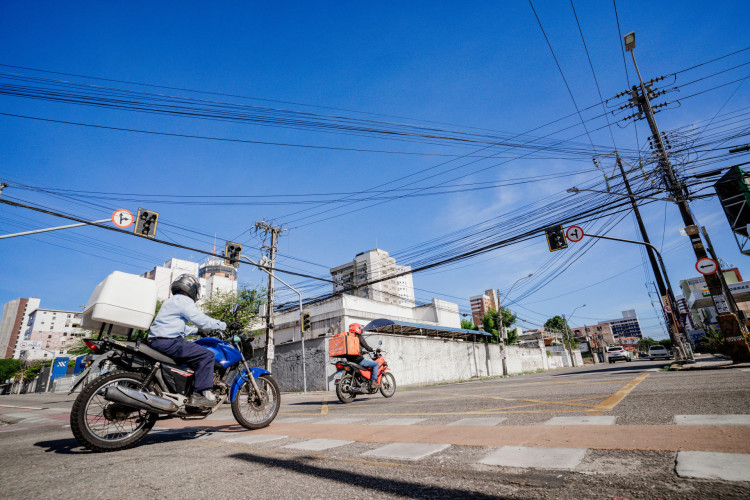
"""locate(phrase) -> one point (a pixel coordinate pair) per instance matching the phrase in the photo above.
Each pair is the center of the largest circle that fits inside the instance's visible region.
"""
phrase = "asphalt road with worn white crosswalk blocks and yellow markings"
(600, 432)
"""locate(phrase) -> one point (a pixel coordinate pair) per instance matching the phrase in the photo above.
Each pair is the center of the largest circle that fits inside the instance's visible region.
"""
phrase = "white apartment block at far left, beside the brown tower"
(49, 333)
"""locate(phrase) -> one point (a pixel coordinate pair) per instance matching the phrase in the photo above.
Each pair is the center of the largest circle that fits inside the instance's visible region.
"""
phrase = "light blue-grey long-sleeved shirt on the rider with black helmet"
(175, 312)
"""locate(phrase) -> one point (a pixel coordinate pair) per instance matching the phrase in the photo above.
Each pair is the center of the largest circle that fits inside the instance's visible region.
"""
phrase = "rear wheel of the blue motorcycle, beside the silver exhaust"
(102, 425)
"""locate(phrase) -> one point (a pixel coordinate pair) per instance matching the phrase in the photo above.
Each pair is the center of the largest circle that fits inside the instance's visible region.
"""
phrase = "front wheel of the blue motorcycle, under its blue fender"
(255, 412)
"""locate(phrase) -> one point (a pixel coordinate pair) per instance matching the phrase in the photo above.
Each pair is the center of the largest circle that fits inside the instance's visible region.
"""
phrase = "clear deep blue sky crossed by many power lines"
(456, 68)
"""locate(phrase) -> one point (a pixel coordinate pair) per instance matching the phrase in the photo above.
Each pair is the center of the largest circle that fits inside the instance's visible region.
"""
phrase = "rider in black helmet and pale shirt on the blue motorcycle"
(168, 331)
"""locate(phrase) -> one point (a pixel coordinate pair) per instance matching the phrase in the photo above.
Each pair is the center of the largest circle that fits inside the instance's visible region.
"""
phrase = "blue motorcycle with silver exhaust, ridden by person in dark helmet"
(138, 386)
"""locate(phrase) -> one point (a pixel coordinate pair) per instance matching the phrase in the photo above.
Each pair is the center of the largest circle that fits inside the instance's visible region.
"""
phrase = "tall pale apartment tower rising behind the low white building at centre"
(372, 266)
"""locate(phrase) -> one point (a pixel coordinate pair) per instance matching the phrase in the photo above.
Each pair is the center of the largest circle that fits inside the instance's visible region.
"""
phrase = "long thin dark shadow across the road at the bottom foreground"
(379, 485)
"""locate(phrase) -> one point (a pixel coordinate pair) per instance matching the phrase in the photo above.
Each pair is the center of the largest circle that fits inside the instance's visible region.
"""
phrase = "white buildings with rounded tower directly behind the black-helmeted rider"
(213, 274)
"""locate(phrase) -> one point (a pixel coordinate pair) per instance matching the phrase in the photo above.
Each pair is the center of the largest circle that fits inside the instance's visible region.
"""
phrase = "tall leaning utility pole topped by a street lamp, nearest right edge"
(640, 98)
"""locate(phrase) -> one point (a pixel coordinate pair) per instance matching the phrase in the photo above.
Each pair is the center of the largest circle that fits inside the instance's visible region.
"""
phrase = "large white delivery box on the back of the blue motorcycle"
(123, 300)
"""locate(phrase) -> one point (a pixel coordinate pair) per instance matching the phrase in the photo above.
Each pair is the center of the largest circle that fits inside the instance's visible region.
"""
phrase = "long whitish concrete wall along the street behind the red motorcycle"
(412, 360)
